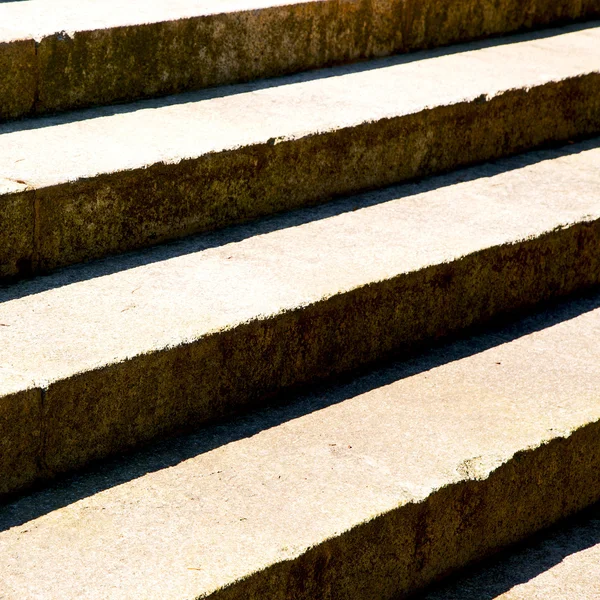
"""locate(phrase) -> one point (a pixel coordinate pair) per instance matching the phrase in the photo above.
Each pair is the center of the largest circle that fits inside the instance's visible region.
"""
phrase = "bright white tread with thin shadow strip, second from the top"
(49, 152)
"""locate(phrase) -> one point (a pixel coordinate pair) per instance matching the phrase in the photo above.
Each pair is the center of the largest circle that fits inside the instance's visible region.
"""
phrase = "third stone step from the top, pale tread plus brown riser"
(97, 358)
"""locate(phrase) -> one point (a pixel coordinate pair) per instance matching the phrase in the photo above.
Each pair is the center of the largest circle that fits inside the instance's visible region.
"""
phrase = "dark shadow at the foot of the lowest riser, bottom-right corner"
(522, 562)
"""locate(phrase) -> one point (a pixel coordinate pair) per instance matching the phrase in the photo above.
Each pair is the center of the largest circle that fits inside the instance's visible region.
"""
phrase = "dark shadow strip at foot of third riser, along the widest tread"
(290, 405)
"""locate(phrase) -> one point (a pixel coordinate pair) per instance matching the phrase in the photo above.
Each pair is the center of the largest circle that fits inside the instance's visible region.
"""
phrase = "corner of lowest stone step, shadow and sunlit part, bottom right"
(558, 564)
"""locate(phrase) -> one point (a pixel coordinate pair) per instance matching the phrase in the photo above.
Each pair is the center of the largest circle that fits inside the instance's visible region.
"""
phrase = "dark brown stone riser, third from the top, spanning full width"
(98, 413)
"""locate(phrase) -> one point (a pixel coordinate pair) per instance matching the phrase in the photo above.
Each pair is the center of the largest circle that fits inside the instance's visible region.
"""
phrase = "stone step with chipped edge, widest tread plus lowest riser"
(368, 489)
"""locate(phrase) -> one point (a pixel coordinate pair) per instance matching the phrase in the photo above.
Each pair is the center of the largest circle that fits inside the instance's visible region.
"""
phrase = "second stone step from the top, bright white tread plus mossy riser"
(109, 180)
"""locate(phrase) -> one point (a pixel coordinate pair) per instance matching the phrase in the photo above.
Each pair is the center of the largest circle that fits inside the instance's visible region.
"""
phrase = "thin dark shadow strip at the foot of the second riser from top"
(296, 218)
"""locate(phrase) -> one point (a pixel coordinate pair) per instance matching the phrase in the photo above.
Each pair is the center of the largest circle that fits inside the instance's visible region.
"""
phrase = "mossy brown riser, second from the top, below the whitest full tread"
(74, 222)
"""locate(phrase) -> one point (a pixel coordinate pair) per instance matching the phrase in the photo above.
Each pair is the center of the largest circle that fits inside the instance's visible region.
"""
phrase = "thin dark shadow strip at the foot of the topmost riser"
(263, 84)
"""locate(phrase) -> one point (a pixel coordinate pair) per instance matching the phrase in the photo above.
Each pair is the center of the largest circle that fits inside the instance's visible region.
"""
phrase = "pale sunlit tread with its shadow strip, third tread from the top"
(103, 313)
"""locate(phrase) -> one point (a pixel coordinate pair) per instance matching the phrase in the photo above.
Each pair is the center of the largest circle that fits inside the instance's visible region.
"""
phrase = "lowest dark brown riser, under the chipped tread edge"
(404, 550)
